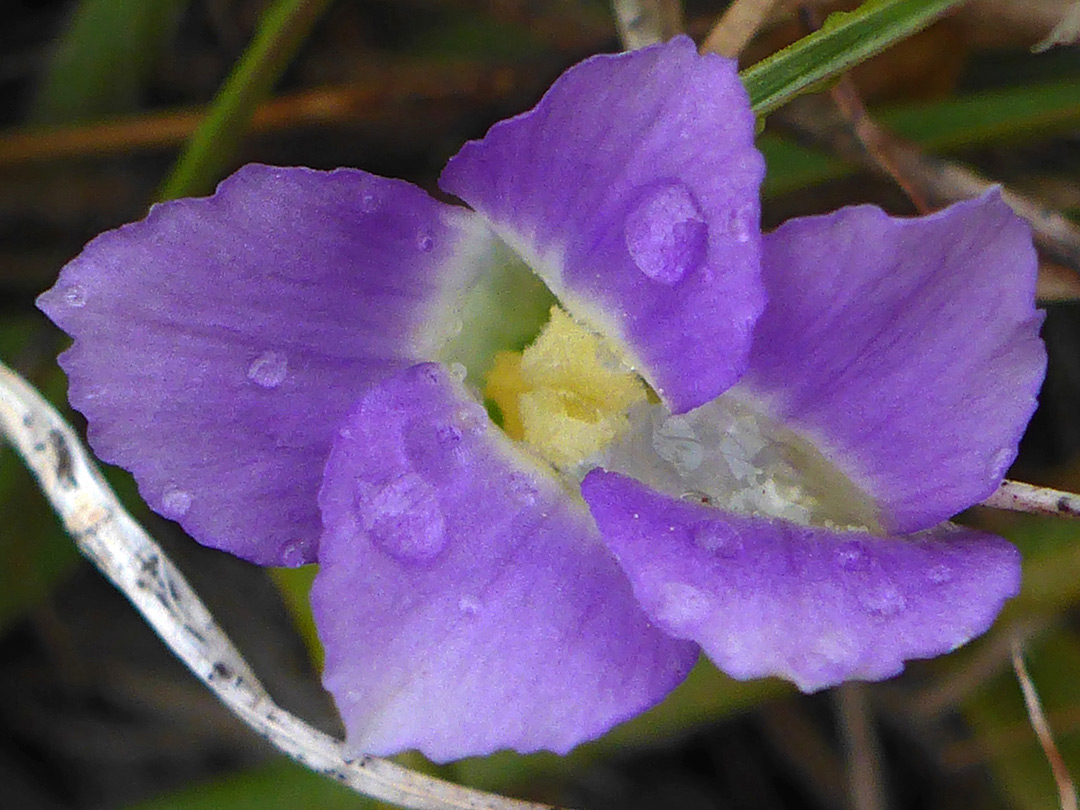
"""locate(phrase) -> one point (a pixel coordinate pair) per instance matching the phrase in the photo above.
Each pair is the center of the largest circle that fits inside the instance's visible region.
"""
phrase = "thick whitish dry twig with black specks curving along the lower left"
(137, 565)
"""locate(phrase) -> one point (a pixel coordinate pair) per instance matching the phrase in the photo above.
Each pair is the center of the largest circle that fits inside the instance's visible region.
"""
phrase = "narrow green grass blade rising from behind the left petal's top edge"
(210, 152)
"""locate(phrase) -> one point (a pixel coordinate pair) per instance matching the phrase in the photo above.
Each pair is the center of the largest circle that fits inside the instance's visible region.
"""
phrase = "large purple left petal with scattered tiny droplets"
(221, 341)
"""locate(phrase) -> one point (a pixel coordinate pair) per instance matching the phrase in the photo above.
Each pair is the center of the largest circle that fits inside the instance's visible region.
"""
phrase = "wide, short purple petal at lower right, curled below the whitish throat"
(812, 605)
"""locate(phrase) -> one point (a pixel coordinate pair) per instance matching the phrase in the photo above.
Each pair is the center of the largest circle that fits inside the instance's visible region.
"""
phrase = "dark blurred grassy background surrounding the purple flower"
(109, 105)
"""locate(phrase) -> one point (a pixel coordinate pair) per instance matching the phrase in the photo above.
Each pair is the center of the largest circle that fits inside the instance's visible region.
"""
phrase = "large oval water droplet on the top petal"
(666, 233)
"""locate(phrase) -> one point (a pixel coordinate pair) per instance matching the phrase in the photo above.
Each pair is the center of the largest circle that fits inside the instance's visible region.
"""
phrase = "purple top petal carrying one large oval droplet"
(632, 190)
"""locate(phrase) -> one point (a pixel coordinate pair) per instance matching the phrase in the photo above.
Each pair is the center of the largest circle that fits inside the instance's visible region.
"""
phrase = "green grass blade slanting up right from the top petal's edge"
(847, 39)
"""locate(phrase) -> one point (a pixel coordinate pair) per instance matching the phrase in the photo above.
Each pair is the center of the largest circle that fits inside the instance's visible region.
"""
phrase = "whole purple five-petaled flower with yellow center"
(733, 443)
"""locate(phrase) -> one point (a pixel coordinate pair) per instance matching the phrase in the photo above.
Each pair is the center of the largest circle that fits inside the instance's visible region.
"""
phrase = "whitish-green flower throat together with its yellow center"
(571, 400)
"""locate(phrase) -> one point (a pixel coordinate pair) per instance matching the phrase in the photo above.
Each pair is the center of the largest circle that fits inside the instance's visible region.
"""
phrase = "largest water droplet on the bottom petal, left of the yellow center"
(406, 520)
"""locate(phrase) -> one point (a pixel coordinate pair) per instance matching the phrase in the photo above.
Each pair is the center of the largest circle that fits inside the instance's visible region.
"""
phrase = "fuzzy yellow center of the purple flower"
(568, 395)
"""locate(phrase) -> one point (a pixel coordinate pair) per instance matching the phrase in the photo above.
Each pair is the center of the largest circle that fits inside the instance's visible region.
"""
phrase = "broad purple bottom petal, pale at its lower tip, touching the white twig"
(465, 600)
